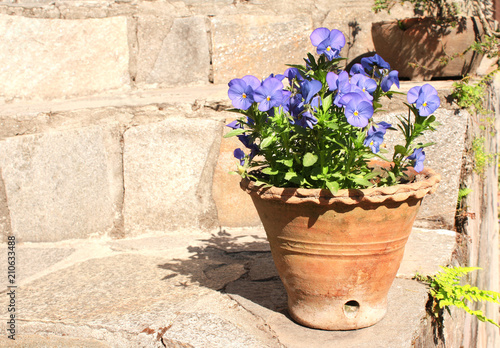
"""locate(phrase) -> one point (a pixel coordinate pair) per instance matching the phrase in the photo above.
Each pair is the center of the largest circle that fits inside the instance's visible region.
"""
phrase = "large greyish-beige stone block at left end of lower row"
(57, 184)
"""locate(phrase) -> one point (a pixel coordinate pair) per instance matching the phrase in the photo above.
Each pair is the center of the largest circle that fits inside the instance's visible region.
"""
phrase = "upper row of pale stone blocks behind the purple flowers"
(56, 50)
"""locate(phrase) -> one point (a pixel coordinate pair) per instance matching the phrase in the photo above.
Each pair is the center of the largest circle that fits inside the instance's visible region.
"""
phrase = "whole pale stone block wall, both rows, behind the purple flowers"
(107, 108)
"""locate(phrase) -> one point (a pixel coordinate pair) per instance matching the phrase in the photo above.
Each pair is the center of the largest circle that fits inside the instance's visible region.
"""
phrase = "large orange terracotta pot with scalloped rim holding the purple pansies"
(337, 256)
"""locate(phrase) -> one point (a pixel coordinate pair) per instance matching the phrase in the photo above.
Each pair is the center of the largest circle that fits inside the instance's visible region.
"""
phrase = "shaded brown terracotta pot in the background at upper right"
(424, 42)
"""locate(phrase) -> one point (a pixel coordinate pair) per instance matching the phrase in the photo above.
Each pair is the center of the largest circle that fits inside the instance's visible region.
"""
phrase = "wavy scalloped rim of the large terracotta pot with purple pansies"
(396, 193)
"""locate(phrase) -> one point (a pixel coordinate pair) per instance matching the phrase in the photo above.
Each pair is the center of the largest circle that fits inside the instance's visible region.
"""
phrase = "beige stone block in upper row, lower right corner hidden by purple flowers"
(258, 44)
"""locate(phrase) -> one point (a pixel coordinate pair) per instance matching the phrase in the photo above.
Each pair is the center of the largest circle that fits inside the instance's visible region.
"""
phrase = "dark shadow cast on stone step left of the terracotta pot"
(229, 265)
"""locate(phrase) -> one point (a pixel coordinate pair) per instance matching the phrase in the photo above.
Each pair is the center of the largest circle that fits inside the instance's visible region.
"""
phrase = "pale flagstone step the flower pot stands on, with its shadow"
(191, 289)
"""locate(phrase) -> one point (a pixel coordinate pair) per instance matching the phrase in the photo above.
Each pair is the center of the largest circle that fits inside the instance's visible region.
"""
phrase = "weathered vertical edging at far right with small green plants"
(477, 218)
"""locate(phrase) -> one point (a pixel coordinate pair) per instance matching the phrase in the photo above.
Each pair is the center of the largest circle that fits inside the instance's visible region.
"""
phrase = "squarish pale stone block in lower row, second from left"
(168, 168)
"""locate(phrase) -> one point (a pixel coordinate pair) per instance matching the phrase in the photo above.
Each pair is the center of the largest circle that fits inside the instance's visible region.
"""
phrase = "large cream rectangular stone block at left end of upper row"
(56, 58)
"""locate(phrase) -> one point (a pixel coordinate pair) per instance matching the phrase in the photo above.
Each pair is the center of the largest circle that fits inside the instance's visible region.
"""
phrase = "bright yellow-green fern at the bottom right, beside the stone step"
(446, 291)
